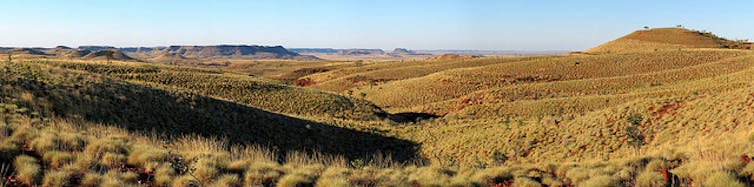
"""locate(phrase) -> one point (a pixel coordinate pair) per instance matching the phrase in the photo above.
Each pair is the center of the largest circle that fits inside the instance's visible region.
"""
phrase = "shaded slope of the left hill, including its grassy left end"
(49, 92)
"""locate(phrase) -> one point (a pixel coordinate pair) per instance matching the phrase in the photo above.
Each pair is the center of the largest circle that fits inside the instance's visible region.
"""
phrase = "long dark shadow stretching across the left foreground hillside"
(176, 113)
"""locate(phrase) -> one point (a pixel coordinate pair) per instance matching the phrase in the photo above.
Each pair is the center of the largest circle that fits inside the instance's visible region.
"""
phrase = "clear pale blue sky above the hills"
(385, 24)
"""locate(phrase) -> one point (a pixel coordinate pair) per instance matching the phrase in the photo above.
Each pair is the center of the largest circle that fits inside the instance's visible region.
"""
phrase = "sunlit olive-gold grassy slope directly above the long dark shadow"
(252, 91)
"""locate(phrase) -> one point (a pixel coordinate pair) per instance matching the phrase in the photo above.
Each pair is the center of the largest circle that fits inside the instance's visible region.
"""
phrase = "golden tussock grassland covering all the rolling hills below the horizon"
(624, 118)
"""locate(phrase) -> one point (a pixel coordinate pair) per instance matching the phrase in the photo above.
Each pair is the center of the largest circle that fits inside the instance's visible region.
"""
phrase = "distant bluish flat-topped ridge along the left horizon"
(180, 52)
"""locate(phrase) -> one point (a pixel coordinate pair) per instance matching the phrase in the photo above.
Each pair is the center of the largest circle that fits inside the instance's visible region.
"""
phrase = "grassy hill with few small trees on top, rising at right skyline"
(663, 39)
